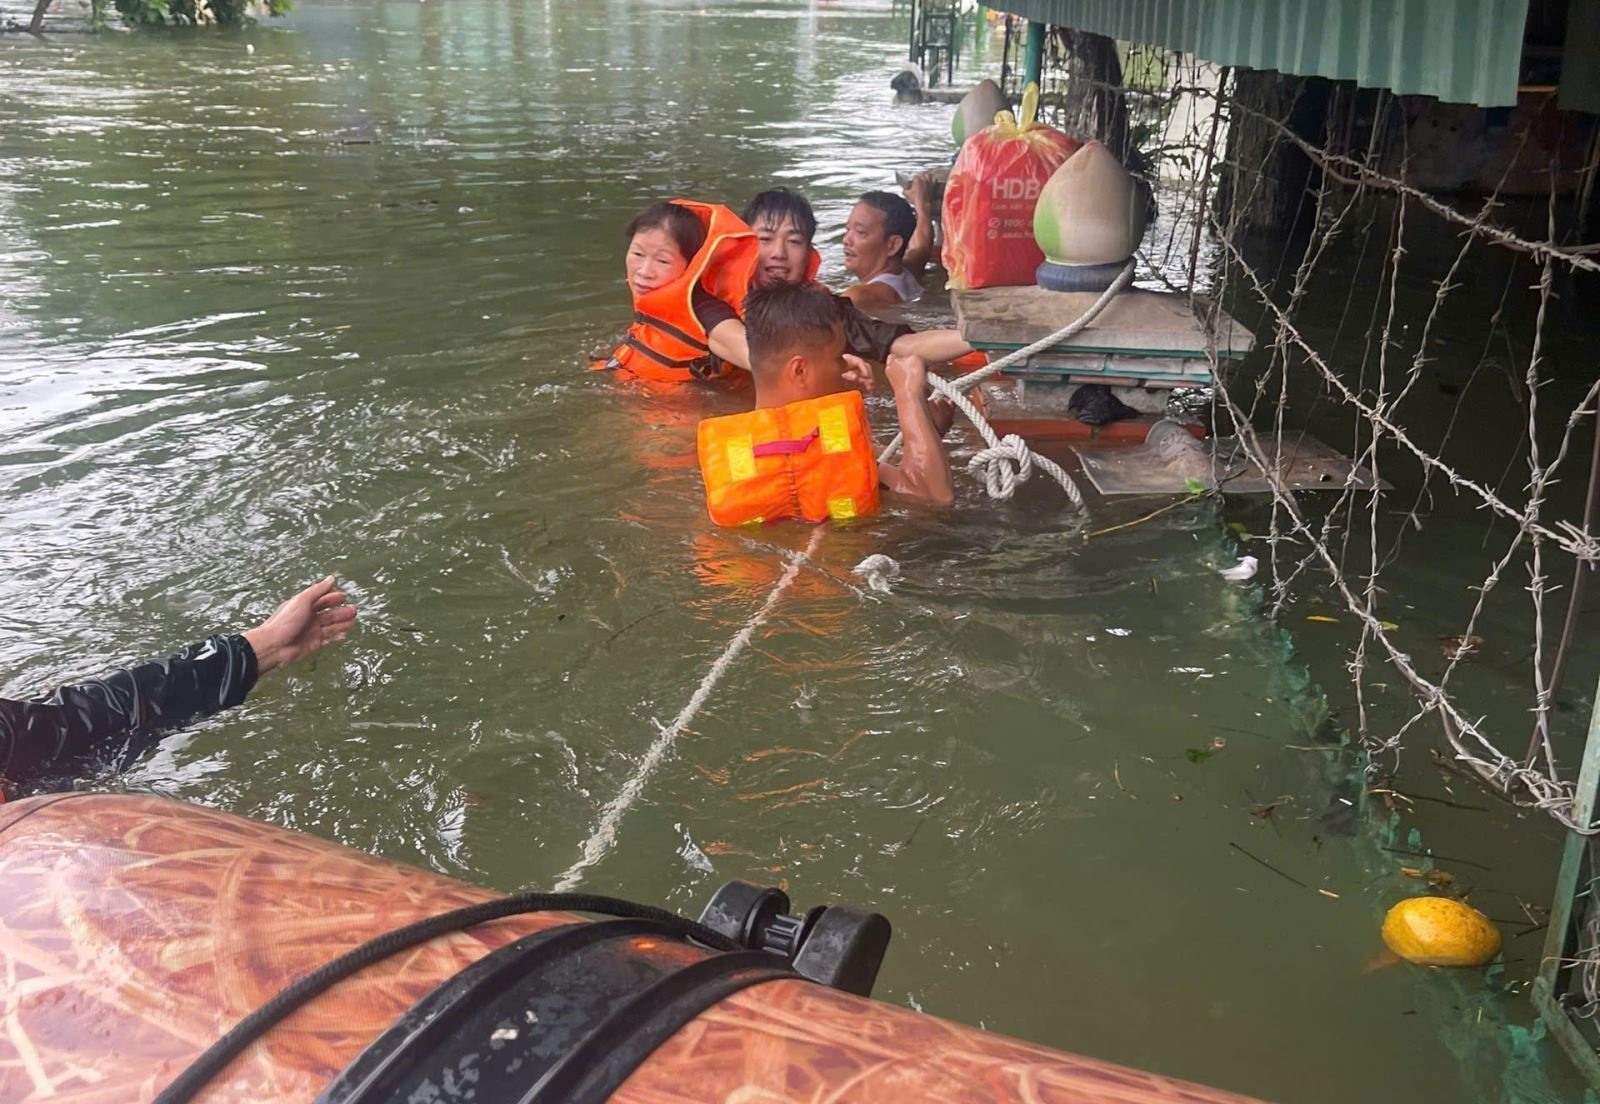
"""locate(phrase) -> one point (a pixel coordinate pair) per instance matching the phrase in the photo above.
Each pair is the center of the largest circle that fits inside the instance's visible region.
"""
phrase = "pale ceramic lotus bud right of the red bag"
(1092, 210)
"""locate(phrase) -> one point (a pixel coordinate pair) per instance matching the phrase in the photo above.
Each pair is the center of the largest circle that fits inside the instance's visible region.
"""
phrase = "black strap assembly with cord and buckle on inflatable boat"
(566, 1015)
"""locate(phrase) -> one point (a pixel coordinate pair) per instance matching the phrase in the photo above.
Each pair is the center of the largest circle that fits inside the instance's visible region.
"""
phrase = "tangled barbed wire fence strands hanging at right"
(1178, 118)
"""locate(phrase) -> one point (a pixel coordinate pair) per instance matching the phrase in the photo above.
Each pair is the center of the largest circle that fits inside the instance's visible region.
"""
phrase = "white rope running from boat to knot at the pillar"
(1006, 463)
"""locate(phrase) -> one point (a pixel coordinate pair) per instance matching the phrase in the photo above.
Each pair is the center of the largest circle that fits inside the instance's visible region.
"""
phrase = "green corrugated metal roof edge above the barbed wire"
(1462, 52)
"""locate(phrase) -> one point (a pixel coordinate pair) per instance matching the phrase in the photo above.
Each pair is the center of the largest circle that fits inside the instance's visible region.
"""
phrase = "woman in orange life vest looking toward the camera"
(689, 266)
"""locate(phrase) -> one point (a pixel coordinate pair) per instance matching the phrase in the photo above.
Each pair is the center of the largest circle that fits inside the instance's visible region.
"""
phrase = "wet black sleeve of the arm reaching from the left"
(121, 714)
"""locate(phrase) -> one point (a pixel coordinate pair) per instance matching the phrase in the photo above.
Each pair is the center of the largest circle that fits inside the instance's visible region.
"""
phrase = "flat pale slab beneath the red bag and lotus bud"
(1142, 337)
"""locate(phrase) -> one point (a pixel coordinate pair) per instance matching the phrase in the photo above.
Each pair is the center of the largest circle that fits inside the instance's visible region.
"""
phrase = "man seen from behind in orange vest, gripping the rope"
(806, 452)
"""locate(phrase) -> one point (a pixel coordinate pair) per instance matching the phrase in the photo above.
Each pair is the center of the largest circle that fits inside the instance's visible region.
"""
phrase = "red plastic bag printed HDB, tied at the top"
(990, 201)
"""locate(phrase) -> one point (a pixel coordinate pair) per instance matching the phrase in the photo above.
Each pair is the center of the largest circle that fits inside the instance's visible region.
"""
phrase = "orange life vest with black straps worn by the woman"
(666, 342)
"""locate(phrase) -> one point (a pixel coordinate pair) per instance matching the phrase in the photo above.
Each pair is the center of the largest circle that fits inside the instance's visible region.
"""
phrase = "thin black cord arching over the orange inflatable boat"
(254, 1026)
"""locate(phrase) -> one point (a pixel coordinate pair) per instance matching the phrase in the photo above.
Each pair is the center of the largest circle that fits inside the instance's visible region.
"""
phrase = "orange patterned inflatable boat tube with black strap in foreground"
(137, 934)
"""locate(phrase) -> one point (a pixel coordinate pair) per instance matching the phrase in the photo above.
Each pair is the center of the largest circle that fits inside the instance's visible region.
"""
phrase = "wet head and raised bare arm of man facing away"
(798, 353)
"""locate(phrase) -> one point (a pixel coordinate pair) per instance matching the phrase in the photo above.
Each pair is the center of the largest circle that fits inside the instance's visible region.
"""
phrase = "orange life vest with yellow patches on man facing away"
(810, 460)
